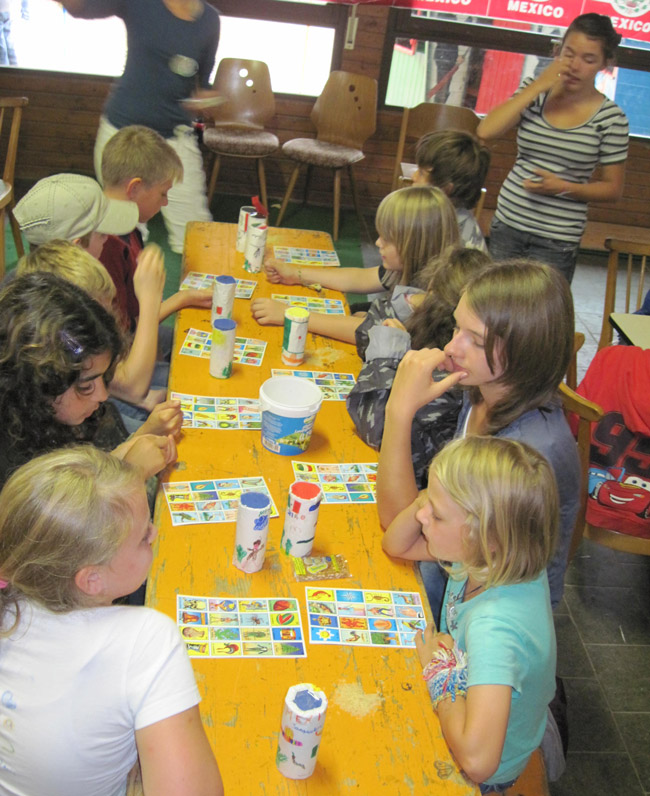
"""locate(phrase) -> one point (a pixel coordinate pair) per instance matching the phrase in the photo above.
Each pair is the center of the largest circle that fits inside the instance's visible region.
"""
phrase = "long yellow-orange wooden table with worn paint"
(380, 733)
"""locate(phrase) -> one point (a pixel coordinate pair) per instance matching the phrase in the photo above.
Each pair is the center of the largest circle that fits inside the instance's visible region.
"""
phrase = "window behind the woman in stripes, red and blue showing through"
(479, 63)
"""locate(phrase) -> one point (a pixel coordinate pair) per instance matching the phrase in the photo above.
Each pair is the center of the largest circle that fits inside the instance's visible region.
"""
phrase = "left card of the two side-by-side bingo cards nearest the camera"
(233, 627)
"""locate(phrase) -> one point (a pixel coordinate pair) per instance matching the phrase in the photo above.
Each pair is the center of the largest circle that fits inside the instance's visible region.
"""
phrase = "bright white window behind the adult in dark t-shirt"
(44, 36)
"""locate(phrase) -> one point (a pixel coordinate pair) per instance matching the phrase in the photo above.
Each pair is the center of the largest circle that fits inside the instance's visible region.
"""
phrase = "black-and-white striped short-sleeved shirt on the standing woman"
(571, 153)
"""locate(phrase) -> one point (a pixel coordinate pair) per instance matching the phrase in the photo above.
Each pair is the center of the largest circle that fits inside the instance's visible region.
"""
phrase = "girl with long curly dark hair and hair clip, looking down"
(58, 352)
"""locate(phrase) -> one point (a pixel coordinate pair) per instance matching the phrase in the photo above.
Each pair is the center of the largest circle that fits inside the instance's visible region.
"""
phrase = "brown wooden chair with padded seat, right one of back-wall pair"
(345, 116)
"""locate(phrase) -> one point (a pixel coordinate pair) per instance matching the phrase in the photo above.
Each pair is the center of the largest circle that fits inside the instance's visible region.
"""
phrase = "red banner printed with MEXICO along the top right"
(631, 18)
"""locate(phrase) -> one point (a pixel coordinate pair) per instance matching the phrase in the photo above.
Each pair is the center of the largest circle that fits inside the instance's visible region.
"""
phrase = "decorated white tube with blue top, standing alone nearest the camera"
(301, 729)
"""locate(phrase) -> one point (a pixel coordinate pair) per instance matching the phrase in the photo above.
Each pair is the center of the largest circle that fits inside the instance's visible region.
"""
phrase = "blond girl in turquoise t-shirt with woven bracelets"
(490, 512)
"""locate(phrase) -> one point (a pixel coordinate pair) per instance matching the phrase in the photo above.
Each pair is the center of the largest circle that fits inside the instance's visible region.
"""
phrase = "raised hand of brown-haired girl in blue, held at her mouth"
(414, 387)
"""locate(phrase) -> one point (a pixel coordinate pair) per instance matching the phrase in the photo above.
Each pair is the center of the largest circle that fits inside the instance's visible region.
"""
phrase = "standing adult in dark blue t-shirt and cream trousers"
(171, 50)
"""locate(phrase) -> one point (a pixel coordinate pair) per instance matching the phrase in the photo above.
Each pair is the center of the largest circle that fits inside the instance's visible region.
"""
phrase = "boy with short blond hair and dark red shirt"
(138, 165)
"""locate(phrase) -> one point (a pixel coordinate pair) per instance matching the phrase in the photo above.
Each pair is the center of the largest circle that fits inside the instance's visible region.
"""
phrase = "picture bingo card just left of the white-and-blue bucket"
(207, 411)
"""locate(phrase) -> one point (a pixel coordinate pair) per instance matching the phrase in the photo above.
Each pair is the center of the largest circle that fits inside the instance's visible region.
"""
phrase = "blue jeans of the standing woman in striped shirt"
(507, 242)
